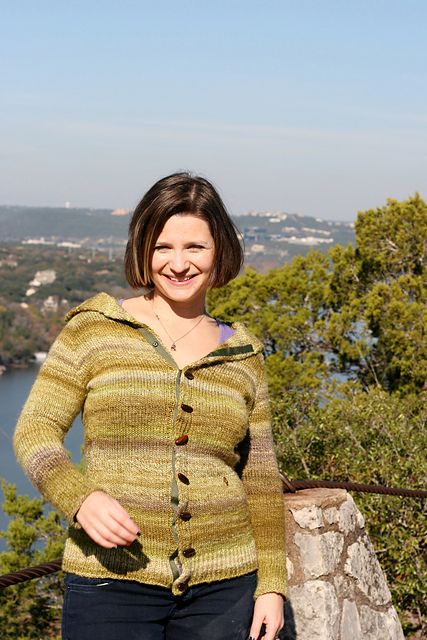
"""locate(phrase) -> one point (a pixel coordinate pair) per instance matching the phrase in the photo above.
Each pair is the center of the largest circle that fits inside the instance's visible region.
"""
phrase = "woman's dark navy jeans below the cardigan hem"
(97, 608)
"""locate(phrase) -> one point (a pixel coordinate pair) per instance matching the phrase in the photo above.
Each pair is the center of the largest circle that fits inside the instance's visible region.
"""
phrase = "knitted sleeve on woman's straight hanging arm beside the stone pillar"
(264, 492)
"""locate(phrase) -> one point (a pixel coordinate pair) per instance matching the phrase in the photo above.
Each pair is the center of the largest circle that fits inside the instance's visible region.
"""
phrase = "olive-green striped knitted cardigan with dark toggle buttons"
(188, 453)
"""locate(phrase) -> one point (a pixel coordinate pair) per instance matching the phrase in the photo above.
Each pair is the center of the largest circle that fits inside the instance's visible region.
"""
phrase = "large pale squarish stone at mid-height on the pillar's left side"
(320, 554)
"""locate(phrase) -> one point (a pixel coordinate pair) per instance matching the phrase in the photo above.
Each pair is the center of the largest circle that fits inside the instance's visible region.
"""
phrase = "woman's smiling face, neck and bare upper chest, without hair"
(181, 269)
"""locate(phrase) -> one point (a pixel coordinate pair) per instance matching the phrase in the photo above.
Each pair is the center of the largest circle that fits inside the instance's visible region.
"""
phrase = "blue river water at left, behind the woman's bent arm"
(15, 385)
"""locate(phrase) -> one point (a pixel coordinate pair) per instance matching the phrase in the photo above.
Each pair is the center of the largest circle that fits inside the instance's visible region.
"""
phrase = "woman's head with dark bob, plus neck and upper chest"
(181, 242)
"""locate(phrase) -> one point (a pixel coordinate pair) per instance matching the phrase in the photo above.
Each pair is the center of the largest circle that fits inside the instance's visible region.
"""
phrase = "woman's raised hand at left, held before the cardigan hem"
(105, 521)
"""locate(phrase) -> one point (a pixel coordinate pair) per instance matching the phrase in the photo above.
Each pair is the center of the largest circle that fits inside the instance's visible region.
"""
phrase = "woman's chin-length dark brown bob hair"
(182, 194)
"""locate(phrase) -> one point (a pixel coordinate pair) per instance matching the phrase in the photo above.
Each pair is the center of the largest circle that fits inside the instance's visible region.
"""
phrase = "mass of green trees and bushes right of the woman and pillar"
(346, 357)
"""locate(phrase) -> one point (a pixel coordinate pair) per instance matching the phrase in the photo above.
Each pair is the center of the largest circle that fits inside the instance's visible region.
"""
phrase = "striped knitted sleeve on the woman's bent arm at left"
(55, 399)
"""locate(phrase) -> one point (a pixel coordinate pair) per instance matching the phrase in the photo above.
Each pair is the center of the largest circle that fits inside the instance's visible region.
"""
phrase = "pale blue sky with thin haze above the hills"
(316, 107)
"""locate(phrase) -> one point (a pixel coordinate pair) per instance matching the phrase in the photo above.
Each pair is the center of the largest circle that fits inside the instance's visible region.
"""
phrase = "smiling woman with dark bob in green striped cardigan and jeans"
(176, 520)
